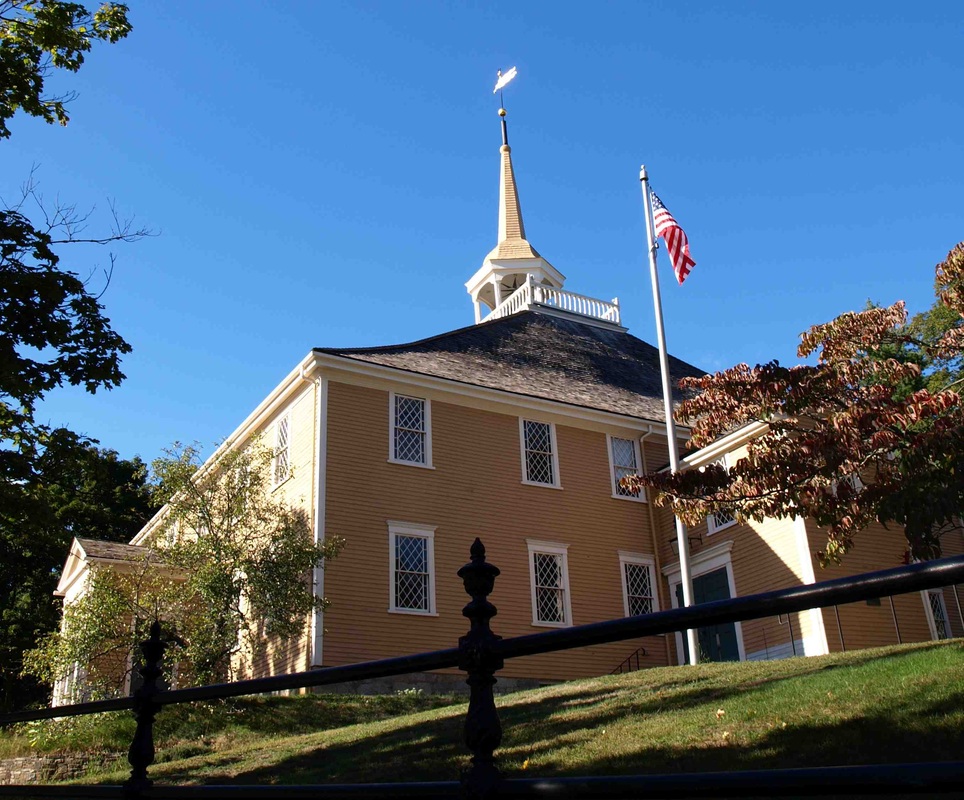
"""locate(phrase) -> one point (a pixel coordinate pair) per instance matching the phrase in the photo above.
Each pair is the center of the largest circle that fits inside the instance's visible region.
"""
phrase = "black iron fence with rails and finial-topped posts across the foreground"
(481, 653)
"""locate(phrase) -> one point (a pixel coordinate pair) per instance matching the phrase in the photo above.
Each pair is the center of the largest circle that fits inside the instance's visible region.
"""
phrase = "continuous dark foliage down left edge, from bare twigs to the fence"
(53, 484)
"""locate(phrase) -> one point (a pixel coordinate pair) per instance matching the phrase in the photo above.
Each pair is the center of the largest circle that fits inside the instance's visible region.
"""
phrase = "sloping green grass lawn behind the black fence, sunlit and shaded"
(875, 706)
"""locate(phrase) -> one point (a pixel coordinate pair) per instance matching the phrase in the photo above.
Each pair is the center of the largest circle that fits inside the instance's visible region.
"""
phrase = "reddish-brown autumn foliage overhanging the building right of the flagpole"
(874, 431)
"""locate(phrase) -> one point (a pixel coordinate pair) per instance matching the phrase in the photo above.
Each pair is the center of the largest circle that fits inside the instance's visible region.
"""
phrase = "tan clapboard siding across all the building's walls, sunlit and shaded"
(475, 489)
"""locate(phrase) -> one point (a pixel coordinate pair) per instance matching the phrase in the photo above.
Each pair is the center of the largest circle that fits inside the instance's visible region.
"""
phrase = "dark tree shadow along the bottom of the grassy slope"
(433, 750)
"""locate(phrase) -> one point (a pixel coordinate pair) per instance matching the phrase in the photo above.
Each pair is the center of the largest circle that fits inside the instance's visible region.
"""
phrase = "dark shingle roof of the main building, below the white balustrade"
(541, 355)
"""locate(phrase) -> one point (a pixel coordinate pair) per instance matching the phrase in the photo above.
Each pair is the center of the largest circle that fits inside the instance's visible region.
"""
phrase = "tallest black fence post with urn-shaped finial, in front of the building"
(483, 731)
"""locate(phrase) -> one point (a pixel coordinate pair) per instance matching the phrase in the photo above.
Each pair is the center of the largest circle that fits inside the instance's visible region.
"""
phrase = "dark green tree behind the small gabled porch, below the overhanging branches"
(77, 490)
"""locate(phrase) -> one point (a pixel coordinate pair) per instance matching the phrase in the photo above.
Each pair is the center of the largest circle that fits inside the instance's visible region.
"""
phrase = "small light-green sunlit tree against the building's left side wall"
(227, 566)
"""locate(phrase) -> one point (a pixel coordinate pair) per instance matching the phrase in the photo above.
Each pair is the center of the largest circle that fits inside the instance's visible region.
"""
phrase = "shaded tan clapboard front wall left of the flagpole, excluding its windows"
(474, 490)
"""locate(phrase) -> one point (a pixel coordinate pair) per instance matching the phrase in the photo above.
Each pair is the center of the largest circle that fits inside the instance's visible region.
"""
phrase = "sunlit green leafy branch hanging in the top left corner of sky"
(39, 36)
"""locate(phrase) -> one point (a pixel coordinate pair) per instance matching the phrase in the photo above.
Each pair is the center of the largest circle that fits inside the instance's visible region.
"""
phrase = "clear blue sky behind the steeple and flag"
(326, 174)
